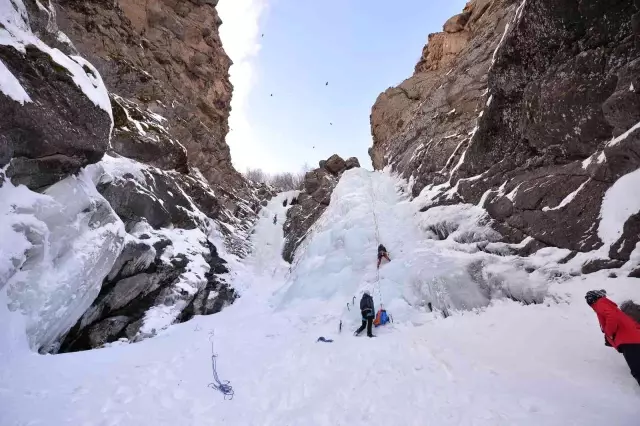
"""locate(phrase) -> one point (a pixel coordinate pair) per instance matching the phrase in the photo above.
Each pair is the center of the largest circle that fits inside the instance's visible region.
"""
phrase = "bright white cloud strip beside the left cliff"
(241, 38)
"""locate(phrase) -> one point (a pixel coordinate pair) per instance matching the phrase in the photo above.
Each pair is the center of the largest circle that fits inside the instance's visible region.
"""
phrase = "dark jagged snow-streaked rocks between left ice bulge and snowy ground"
(171, 267)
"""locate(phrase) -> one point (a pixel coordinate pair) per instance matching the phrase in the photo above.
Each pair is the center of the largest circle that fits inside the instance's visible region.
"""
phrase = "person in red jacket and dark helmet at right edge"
(620, 330)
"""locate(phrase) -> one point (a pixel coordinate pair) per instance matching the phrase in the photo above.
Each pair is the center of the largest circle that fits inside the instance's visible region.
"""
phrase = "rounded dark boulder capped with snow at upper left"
(55, 107)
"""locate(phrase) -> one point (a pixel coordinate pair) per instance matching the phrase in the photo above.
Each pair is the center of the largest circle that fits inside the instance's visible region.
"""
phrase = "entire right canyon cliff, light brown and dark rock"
(529, 109)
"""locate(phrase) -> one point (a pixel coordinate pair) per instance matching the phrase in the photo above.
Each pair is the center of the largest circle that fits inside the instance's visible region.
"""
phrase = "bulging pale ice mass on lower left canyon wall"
(56, 249)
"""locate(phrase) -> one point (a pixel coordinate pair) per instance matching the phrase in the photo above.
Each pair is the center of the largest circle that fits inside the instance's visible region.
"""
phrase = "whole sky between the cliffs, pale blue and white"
(286, 51)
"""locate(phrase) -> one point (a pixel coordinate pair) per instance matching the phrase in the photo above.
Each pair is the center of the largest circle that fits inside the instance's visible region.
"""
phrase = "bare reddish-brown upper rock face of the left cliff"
(165, 55)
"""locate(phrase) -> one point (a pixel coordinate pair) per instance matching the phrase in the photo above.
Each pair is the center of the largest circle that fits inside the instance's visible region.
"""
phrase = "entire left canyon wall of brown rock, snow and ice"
(117, 186)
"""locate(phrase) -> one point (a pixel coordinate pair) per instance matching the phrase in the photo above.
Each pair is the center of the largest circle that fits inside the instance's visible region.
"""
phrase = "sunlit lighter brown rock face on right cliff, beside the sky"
(434, 110)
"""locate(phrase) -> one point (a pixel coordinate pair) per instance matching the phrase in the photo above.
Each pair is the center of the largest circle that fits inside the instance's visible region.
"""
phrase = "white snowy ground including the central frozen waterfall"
(493, 361)
